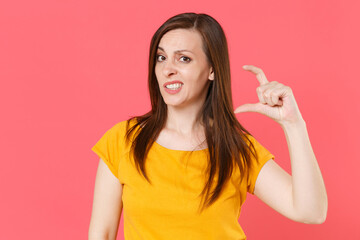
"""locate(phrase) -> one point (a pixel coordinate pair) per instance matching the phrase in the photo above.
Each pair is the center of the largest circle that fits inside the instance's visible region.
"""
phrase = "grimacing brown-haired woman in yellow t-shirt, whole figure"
(182, 170)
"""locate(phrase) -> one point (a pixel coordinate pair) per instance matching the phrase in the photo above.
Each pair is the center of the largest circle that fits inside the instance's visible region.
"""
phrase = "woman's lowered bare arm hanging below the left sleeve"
(107, 205)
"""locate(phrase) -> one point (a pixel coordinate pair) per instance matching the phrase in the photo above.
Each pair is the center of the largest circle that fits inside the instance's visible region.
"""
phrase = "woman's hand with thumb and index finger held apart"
(277, 101)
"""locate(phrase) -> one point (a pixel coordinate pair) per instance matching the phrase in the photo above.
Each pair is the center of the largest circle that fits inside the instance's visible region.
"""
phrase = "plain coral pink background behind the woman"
(70, 70)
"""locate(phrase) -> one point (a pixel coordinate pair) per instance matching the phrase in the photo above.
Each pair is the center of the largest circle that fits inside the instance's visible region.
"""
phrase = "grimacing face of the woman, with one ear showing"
(180, 58)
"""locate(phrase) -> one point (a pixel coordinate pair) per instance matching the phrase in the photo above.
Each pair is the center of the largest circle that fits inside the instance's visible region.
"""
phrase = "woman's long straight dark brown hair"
(224, 134)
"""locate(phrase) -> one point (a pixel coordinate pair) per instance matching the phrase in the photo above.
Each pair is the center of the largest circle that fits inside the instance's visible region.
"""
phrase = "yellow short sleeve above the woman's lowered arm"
(108, 147)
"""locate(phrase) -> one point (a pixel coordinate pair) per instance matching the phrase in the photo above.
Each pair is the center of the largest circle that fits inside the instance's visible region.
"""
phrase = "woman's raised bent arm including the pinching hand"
(302, 196)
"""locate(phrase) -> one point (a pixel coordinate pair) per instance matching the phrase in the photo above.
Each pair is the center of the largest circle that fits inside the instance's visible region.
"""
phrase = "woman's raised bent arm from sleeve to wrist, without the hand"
(301, 197)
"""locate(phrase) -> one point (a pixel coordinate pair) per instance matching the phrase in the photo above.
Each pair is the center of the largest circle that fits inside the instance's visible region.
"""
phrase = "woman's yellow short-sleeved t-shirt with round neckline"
(168, 208)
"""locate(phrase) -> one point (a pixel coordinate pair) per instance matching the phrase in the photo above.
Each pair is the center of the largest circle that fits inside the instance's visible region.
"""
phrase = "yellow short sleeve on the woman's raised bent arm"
(263, 156)
